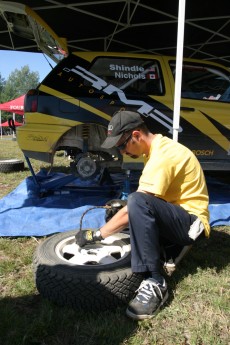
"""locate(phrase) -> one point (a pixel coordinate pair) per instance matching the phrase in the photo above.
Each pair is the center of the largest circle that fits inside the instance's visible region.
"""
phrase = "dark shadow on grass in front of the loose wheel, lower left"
(32, 320)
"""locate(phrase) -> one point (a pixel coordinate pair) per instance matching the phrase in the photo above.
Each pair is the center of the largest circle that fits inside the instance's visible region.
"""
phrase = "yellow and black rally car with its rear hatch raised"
(72, 106)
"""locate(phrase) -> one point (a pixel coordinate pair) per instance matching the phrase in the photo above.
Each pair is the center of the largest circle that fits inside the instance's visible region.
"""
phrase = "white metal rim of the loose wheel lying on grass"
(109, 251)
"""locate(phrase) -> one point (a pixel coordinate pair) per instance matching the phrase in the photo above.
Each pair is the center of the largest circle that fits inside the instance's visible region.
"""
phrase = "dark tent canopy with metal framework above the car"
(132, 26)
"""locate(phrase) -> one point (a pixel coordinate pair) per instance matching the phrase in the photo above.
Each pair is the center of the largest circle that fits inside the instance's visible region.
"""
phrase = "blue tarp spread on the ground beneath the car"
(32, 210)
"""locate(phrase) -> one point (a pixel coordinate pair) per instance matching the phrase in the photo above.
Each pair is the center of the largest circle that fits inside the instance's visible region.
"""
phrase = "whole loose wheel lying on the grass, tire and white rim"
(88, 285)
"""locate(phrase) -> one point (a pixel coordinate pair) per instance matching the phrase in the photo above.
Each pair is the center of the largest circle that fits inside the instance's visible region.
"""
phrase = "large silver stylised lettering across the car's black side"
(145, 109)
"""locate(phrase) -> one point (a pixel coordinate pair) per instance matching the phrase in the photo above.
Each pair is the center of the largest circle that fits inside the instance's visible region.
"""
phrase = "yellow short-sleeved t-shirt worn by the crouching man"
(173, 173)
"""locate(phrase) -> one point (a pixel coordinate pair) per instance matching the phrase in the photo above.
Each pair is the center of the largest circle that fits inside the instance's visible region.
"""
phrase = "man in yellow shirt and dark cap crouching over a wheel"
(170, 207)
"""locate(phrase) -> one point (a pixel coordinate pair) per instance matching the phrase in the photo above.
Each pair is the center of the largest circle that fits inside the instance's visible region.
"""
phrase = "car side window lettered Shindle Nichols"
(135, 76)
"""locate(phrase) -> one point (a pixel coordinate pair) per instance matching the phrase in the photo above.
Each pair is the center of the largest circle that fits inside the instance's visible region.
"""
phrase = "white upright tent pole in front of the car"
(179, 63)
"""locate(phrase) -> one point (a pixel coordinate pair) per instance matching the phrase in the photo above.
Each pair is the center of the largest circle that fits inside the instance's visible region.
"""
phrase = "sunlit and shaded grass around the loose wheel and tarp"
(197, 312)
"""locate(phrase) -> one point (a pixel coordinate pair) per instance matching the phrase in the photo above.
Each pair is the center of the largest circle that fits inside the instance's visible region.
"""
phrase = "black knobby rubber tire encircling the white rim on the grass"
(83, 287)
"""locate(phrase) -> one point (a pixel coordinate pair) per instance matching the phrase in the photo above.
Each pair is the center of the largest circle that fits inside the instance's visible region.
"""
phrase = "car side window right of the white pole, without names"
(204, 82)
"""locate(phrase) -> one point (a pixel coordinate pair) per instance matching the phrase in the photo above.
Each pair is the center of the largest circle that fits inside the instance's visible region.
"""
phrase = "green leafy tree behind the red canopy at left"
(18, 83)
